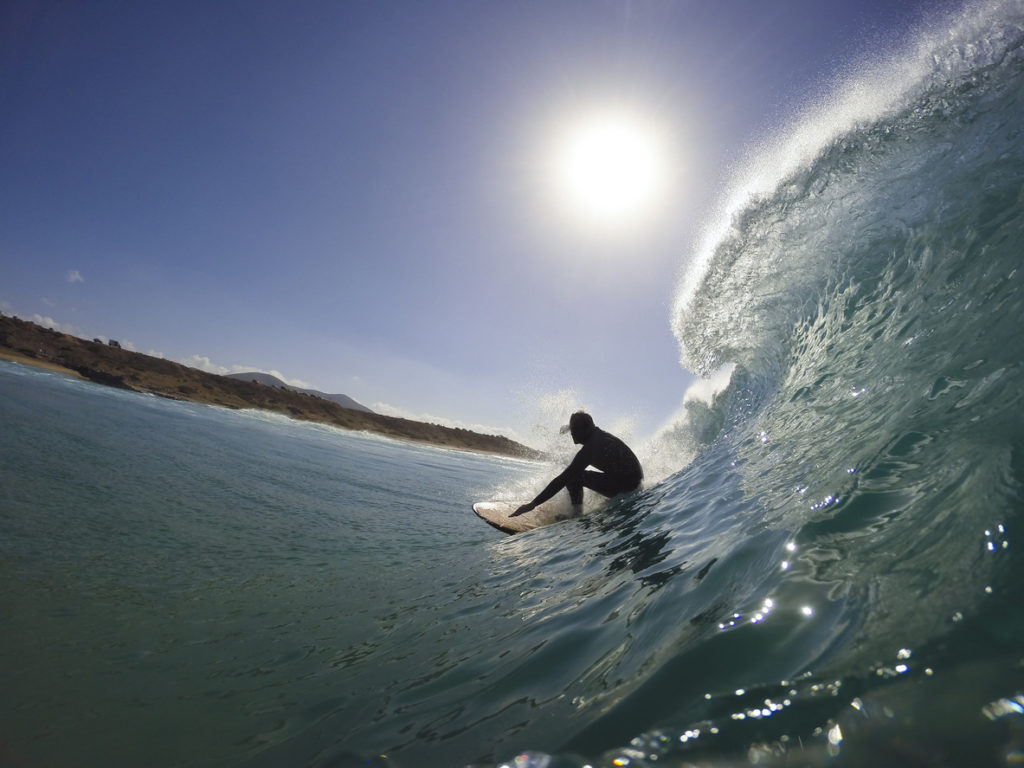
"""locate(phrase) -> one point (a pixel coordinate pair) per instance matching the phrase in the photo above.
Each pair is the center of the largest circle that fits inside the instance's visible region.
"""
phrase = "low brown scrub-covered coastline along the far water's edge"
(28, 344)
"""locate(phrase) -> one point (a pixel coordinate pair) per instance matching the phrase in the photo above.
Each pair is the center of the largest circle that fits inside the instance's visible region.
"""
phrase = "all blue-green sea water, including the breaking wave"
(826, 569)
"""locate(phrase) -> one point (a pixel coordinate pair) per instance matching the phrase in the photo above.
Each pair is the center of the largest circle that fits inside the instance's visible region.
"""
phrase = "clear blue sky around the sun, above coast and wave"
(358, 196)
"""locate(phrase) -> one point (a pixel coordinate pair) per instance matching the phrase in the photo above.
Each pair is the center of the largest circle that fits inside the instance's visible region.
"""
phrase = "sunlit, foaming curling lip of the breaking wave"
(851, 181)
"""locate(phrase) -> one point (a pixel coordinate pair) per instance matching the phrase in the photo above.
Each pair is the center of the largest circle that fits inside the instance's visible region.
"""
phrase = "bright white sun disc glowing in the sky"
(611, 169)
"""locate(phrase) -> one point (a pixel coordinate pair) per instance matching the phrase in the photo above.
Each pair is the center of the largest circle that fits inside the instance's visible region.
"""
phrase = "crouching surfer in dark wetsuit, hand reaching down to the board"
(620, 468)
